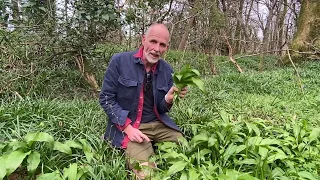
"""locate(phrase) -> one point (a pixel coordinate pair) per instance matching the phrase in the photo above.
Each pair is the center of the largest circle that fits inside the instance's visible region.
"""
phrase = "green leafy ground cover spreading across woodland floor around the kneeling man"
(262, 125)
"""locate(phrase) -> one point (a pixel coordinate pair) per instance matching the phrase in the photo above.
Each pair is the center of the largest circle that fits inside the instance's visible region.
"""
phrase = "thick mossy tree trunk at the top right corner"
(307, 37)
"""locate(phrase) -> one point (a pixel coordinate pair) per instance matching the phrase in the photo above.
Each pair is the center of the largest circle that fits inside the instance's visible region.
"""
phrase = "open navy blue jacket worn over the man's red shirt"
(121, 90)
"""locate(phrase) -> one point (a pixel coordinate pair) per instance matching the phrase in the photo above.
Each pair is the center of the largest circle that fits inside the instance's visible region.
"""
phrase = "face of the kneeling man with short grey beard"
(155, 44)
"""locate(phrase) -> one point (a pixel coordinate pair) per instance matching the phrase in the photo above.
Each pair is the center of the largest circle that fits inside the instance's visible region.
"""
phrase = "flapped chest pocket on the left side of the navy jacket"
(127, 88)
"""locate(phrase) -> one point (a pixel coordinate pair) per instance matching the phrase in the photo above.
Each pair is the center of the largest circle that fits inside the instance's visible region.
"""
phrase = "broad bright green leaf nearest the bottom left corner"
(14, 160)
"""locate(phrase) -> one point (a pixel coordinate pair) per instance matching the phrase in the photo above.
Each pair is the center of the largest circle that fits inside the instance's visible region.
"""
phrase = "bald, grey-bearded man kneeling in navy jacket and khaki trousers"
(137, 93)
